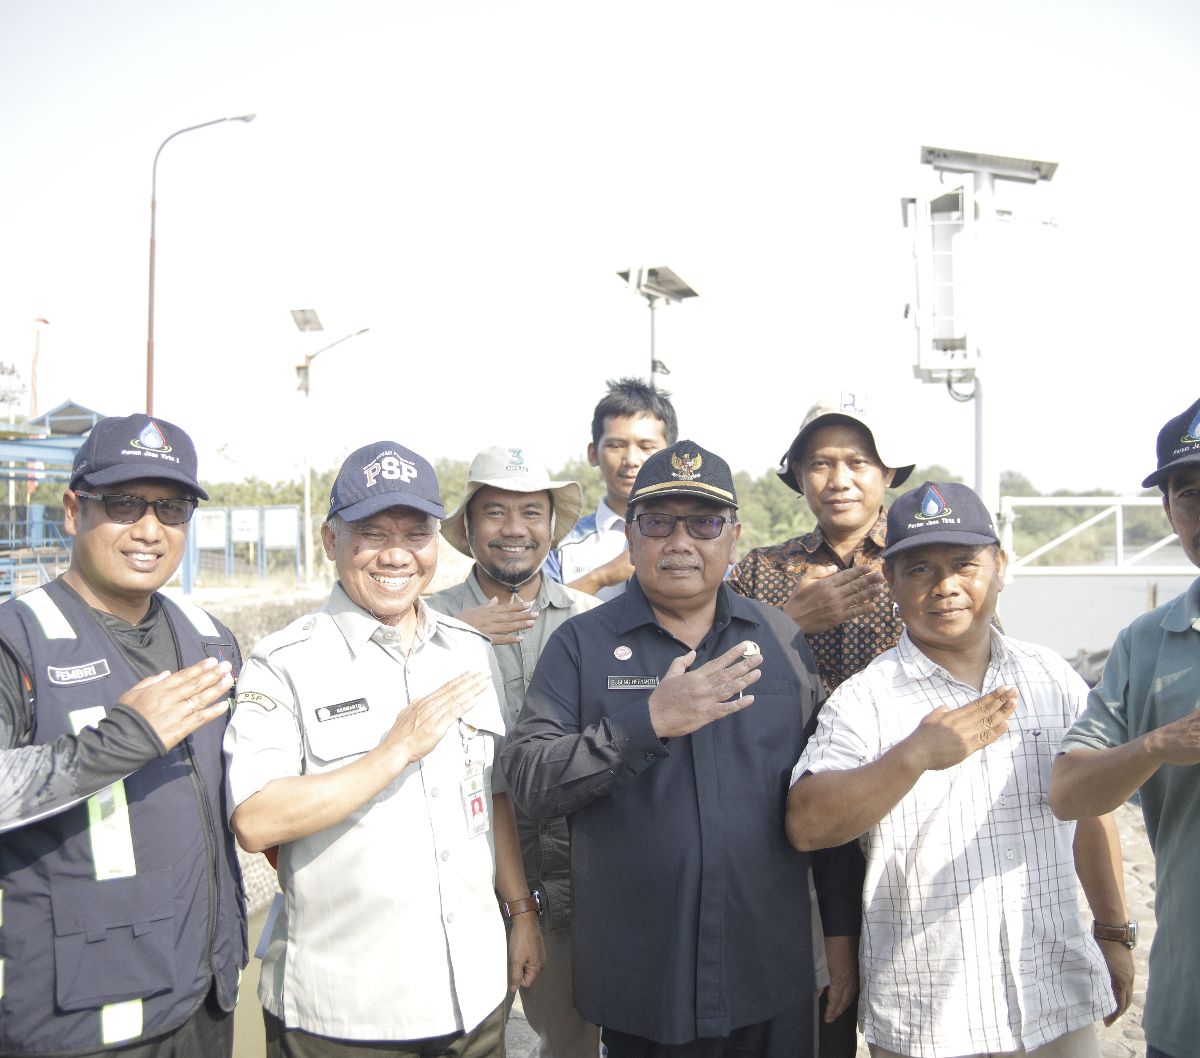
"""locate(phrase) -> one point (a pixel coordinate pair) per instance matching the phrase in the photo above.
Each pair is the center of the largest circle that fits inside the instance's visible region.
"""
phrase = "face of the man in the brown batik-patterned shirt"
(844, 480)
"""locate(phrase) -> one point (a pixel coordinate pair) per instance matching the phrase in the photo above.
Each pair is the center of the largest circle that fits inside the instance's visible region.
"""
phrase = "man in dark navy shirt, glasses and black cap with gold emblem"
(661, 725)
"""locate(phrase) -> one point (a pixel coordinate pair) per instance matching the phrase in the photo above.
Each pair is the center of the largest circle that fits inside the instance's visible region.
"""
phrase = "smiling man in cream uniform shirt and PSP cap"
(362, 747)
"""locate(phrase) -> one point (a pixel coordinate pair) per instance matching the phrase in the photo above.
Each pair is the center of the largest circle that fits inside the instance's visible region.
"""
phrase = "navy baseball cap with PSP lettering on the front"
(385, 476)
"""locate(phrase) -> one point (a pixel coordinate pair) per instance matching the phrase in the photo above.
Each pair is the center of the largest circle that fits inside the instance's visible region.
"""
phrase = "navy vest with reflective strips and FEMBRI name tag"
(119, 913)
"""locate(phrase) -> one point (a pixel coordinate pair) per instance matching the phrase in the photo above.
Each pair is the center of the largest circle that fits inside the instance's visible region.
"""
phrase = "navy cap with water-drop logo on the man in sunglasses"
(135, 448)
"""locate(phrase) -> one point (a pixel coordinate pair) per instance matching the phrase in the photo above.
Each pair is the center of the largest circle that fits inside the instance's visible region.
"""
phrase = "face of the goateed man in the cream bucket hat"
(509, 534)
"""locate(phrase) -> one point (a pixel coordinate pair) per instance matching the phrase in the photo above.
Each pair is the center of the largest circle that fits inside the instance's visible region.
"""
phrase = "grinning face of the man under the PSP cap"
(385, 562)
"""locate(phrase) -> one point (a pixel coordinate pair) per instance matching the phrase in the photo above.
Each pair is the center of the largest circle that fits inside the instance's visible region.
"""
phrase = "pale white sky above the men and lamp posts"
(466, 178)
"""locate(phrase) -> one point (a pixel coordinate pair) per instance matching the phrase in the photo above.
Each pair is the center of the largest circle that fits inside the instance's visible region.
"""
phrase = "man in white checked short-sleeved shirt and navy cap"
(973, 940)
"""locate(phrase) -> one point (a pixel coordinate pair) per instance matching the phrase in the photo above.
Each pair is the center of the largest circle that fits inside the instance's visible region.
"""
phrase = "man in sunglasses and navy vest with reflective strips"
(122, 927)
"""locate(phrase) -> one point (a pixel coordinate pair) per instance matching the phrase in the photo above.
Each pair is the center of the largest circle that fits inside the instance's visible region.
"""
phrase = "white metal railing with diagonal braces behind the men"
(1125, 564)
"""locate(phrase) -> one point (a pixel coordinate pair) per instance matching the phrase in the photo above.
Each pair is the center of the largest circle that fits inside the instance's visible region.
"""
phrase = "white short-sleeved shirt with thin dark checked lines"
(973, 937)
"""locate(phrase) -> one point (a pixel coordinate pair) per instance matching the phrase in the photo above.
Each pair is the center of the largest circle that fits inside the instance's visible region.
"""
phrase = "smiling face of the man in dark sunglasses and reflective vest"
(117, 567)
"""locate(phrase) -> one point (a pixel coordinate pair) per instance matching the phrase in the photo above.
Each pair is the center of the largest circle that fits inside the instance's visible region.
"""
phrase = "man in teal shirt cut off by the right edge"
(1142, 732)
